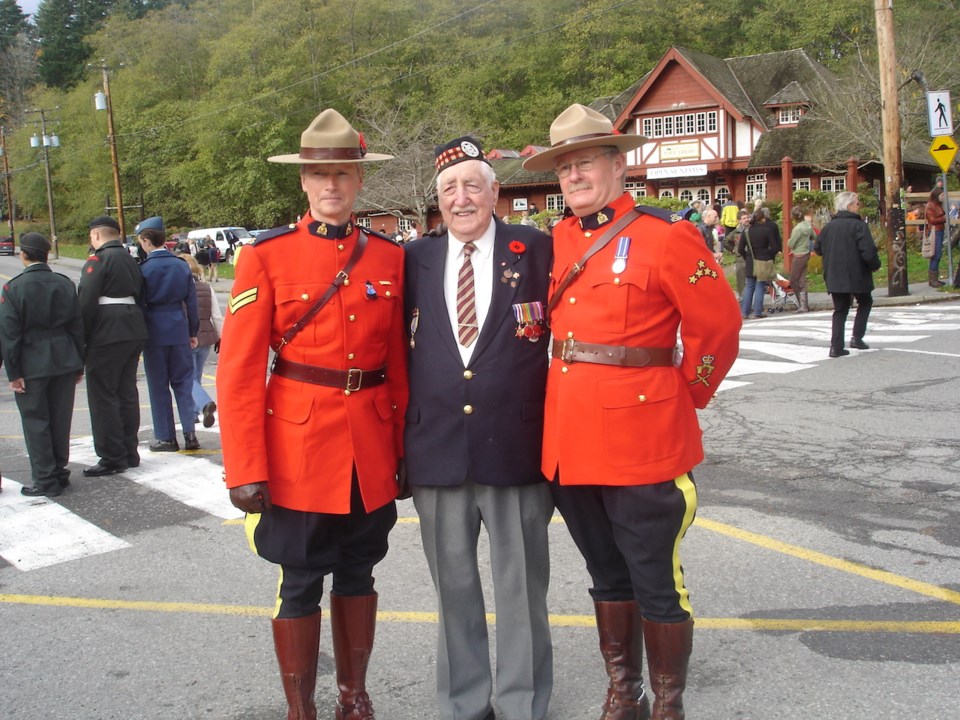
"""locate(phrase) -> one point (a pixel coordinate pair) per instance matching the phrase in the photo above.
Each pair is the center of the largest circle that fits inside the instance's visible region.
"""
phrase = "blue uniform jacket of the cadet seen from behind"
(169, 299)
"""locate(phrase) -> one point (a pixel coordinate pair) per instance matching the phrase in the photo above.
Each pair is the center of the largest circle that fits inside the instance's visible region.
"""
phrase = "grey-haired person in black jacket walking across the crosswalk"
(849, 260)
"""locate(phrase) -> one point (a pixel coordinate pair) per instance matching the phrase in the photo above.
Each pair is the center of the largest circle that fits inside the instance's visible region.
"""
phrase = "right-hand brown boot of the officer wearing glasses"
(668, 652)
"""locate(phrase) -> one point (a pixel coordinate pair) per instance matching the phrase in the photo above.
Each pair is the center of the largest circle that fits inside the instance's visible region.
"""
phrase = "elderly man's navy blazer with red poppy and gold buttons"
(483, 422)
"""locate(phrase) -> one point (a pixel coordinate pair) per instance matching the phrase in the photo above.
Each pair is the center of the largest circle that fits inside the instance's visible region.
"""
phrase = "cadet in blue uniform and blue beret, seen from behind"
(168, 291)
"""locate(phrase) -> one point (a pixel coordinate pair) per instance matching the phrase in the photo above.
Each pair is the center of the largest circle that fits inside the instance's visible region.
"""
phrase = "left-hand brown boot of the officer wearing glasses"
(621, 645)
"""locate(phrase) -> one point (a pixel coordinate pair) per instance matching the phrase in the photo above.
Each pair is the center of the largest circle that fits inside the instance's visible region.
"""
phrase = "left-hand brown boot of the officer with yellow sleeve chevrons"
(297, 641)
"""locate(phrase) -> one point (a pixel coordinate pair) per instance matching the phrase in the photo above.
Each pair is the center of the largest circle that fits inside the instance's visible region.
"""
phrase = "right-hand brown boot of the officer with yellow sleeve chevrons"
(354, 620)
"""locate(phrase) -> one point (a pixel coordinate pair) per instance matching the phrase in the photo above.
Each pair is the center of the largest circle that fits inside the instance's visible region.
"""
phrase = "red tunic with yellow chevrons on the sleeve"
(304, 439)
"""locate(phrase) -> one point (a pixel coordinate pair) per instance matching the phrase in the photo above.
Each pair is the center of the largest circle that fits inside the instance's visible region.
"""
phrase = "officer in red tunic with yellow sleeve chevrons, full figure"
(312, 455)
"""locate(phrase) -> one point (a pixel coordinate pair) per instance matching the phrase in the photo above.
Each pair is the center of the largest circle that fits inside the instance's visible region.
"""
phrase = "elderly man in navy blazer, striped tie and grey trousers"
(475, 299)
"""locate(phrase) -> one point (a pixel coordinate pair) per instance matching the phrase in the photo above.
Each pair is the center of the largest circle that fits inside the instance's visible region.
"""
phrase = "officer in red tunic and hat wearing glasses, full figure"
(621, 433)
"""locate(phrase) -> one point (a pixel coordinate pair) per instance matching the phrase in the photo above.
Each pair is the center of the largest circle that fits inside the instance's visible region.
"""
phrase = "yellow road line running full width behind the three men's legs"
(755, 624)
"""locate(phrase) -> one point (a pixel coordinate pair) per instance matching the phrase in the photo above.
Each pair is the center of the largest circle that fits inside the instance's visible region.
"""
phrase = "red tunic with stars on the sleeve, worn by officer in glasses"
(607, 425)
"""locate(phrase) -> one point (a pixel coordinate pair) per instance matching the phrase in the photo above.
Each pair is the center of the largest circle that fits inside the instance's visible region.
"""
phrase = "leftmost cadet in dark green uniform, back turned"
(42, 339)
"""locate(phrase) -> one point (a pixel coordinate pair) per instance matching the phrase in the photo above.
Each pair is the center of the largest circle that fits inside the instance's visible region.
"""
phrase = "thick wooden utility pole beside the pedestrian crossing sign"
(896, 245)
